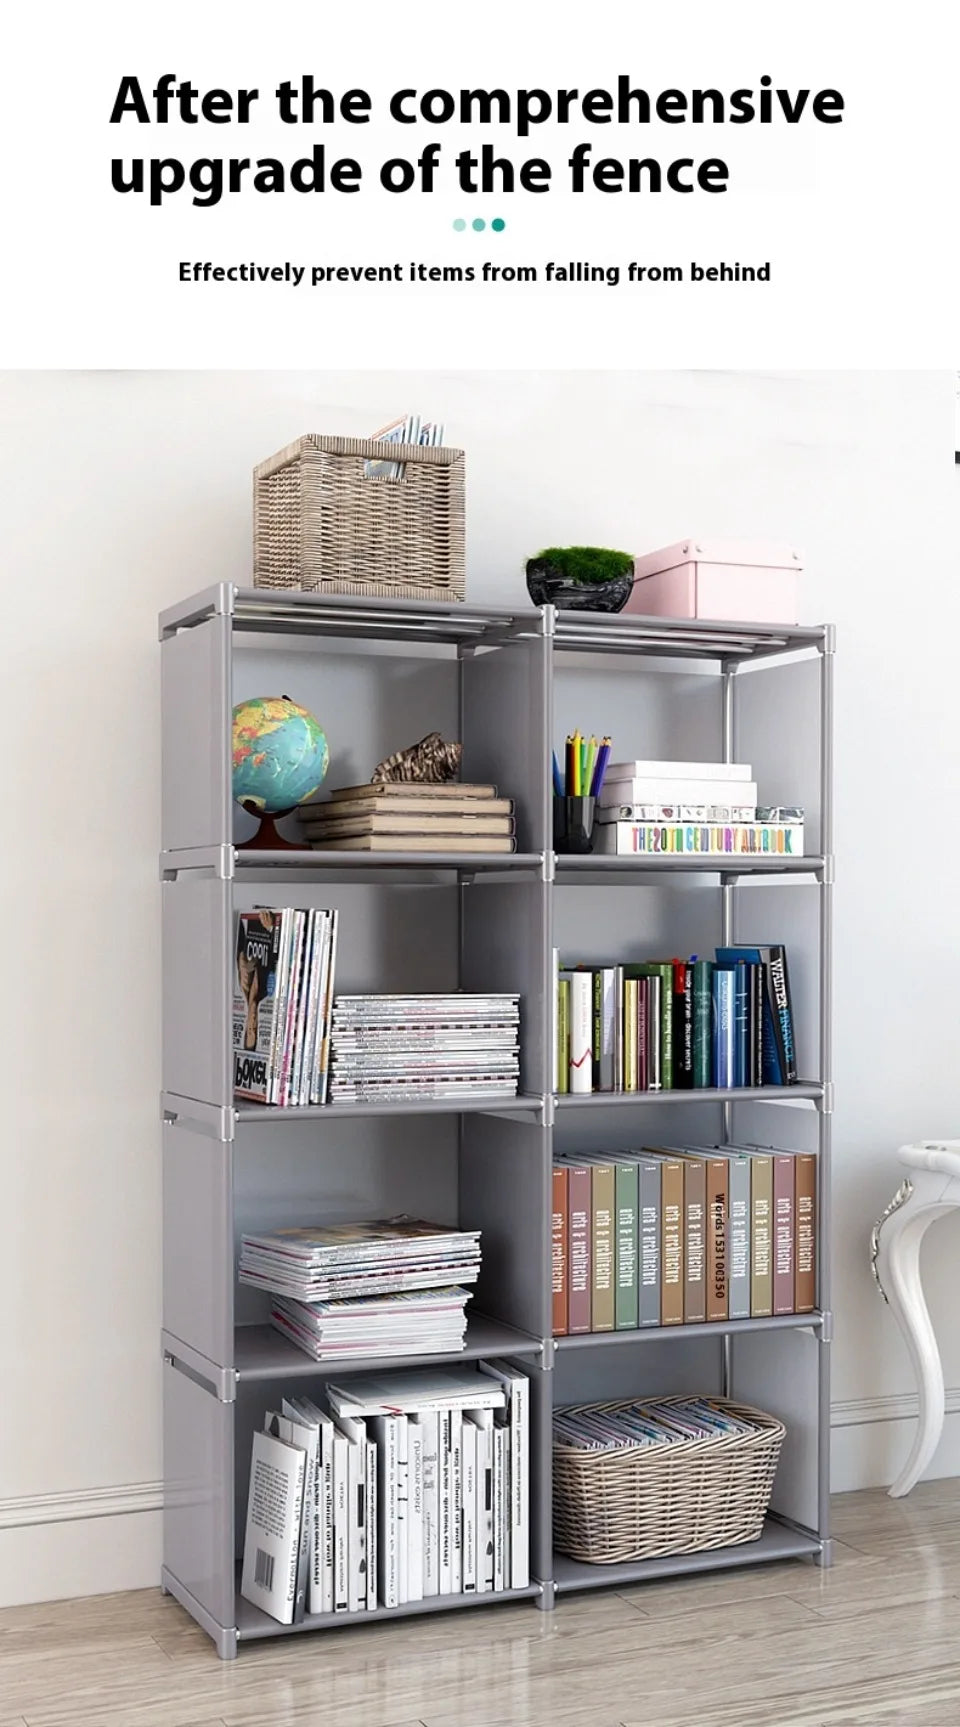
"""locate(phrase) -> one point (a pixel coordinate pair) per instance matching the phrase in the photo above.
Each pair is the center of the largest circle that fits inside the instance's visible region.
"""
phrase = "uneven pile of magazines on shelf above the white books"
(395, 1287)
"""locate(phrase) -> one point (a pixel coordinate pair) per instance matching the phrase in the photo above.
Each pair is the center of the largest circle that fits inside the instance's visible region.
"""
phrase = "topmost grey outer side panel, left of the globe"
(196, 695)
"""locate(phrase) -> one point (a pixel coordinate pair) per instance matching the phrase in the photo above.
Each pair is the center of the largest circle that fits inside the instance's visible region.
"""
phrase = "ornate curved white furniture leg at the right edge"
(897, 1263)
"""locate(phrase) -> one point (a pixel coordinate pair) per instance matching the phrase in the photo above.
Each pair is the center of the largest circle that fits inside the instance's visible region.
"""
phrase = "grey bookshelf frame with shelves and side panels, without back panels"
(508, 662)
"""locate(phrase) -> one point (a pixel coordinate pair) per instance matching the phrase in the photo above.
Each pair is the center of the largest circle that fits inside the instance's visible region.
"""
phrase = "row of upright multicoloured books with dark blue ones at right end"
(676, 1025)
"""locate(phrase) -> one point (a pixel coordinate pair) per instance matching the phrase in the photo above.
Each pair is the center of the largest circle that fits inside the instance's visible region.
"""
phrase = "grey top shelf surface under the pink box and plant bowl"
(685, 638)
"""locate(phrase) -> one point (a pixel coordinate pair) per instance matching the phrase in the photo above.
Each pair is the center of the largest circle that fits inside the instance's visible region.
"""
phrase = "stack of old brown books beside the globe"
(407, 816)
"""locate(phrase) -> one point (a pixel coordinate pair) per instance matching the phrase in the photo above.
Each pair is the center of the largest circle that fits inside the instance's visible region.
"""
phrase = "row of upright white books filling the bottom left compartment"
(393, 1491)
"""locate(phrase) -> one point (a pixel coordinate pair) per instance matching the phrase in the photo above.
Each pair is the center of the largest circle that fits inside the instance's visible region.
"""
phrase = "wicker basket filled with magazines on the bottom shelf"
(645, 1502)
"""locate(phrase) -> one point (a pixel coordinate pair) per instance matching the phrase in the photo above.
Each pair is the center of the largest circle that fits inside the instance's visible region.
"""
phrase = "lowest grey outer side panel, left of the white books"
(199, 1536)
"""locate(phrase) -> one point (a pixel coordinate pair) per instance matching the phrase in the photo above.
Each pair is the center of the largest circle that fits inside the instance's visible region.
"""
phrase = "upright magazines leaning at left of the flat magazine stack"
(282, 1004)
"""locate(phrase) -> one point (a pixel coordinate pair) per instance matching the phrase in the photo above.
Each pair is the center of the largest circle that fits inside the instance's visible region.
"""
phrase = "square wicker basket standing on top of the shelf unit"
(322, 524)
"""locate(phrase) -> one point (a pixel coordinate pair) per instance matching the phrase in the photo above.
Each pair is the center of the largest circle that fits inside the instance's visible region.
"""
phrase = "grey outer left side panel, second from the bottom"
(199, 1241)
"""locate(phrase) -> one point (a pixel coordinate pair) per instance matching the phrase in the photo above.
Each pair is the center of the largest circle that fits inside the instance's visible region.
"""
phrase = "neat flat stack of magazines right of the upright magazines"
(401, 1047)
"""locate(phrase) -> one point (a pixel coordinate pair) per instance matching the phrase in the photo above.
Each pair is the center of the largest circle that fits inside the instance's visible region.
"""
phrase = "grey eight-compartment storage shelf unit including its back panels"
(493, 923)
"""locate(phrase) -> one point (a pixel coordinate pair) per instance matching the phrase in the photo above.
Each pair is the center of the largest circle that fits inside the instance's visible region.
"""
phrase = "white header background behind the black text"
(859, 220)
